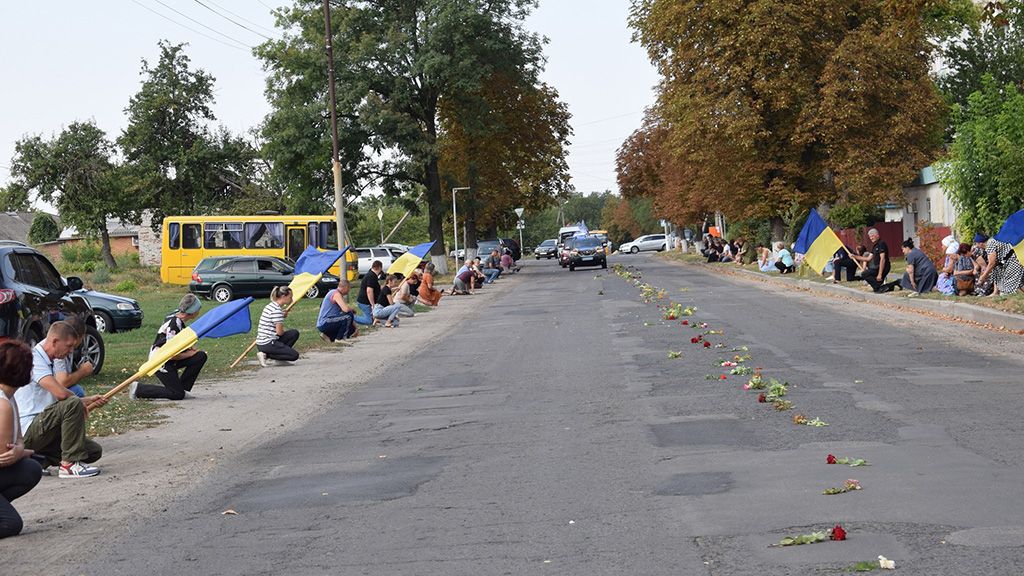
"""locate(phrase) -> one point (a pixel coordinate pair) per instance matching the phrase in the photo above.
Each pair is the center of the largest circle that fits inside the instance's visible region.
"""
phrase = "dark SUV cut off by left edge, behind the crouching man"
(33, 296)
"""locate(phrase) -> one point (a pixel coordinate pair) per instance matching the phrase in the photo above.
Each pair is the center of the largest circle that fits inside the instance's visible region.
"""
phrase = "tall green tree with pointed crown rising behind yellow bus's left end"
(178, 164)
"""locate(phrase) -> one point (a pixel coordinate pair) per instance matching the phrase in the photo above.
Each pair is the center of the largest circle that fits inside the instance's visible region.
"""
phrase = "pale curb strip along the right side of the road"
(952, 309)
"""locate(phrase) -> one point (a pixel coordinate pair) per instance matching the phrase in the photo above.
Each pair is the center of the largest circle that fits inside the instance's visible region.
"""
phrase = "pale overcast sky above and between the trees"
(69, 61)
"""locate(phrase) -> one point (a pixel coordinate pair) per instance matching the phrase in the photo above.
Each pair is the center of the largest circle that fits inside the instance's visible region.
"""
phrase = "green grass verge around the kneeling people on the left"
(127, 351)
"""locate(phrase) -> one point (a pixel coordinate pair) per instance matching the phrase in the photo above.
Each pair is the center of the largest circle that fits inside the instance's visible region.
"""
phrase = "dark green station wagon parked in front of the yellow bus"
(222, 279)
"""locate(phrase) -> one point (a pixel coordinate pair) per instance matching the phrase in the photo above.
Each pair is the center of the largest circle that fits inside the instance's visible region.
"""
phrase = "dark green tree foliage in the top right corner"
(991, 45)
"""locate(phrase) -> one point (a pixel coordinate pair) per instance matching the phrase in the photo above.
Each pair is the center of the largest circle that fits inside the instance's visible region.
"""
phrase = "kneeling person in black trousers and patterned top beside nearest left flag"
(190, 362)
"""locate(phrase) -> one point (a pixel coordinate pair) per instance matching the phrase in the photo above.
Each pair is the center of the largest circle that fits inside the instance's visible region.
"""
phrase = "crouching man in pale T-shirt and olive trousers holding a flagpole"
(53, 418)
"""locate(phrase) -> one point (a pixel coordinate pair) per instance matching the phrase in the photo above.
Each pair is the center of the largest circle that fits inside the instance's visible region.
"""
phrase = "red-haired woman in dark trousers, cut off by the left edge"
(19, 473)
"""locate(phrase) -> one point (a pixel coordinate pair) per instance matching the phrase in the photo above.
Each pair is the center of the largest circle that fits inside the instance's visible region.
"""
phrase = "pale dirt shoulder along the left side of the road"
(144, 471)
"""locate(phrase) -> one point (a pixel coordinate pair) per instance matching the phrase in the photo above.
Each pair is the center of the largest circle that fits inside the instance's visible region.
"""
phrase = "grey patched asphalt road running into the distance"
(552, 434)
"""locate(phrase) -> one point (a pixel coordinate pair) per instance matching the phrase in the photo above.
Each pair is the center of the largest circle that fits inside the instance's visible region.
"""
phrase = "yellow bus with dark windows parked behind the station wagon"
(187, 240)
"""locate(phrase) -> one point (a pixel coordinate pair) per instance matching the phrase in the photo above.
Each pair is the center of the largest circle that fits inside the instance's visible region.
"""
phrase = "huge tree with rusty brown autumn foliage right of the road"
(767, 104)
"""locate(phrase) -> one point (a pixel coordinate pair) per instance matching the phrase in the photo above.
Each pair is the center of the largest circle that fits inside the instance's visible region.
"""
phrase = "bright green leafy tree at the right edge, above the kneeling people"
(984, 174)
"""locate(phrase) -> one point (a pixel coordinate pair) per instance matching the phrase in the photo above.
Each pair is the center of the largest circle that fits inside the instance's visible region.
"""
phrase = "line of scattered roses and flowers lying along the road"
(772, 391)
